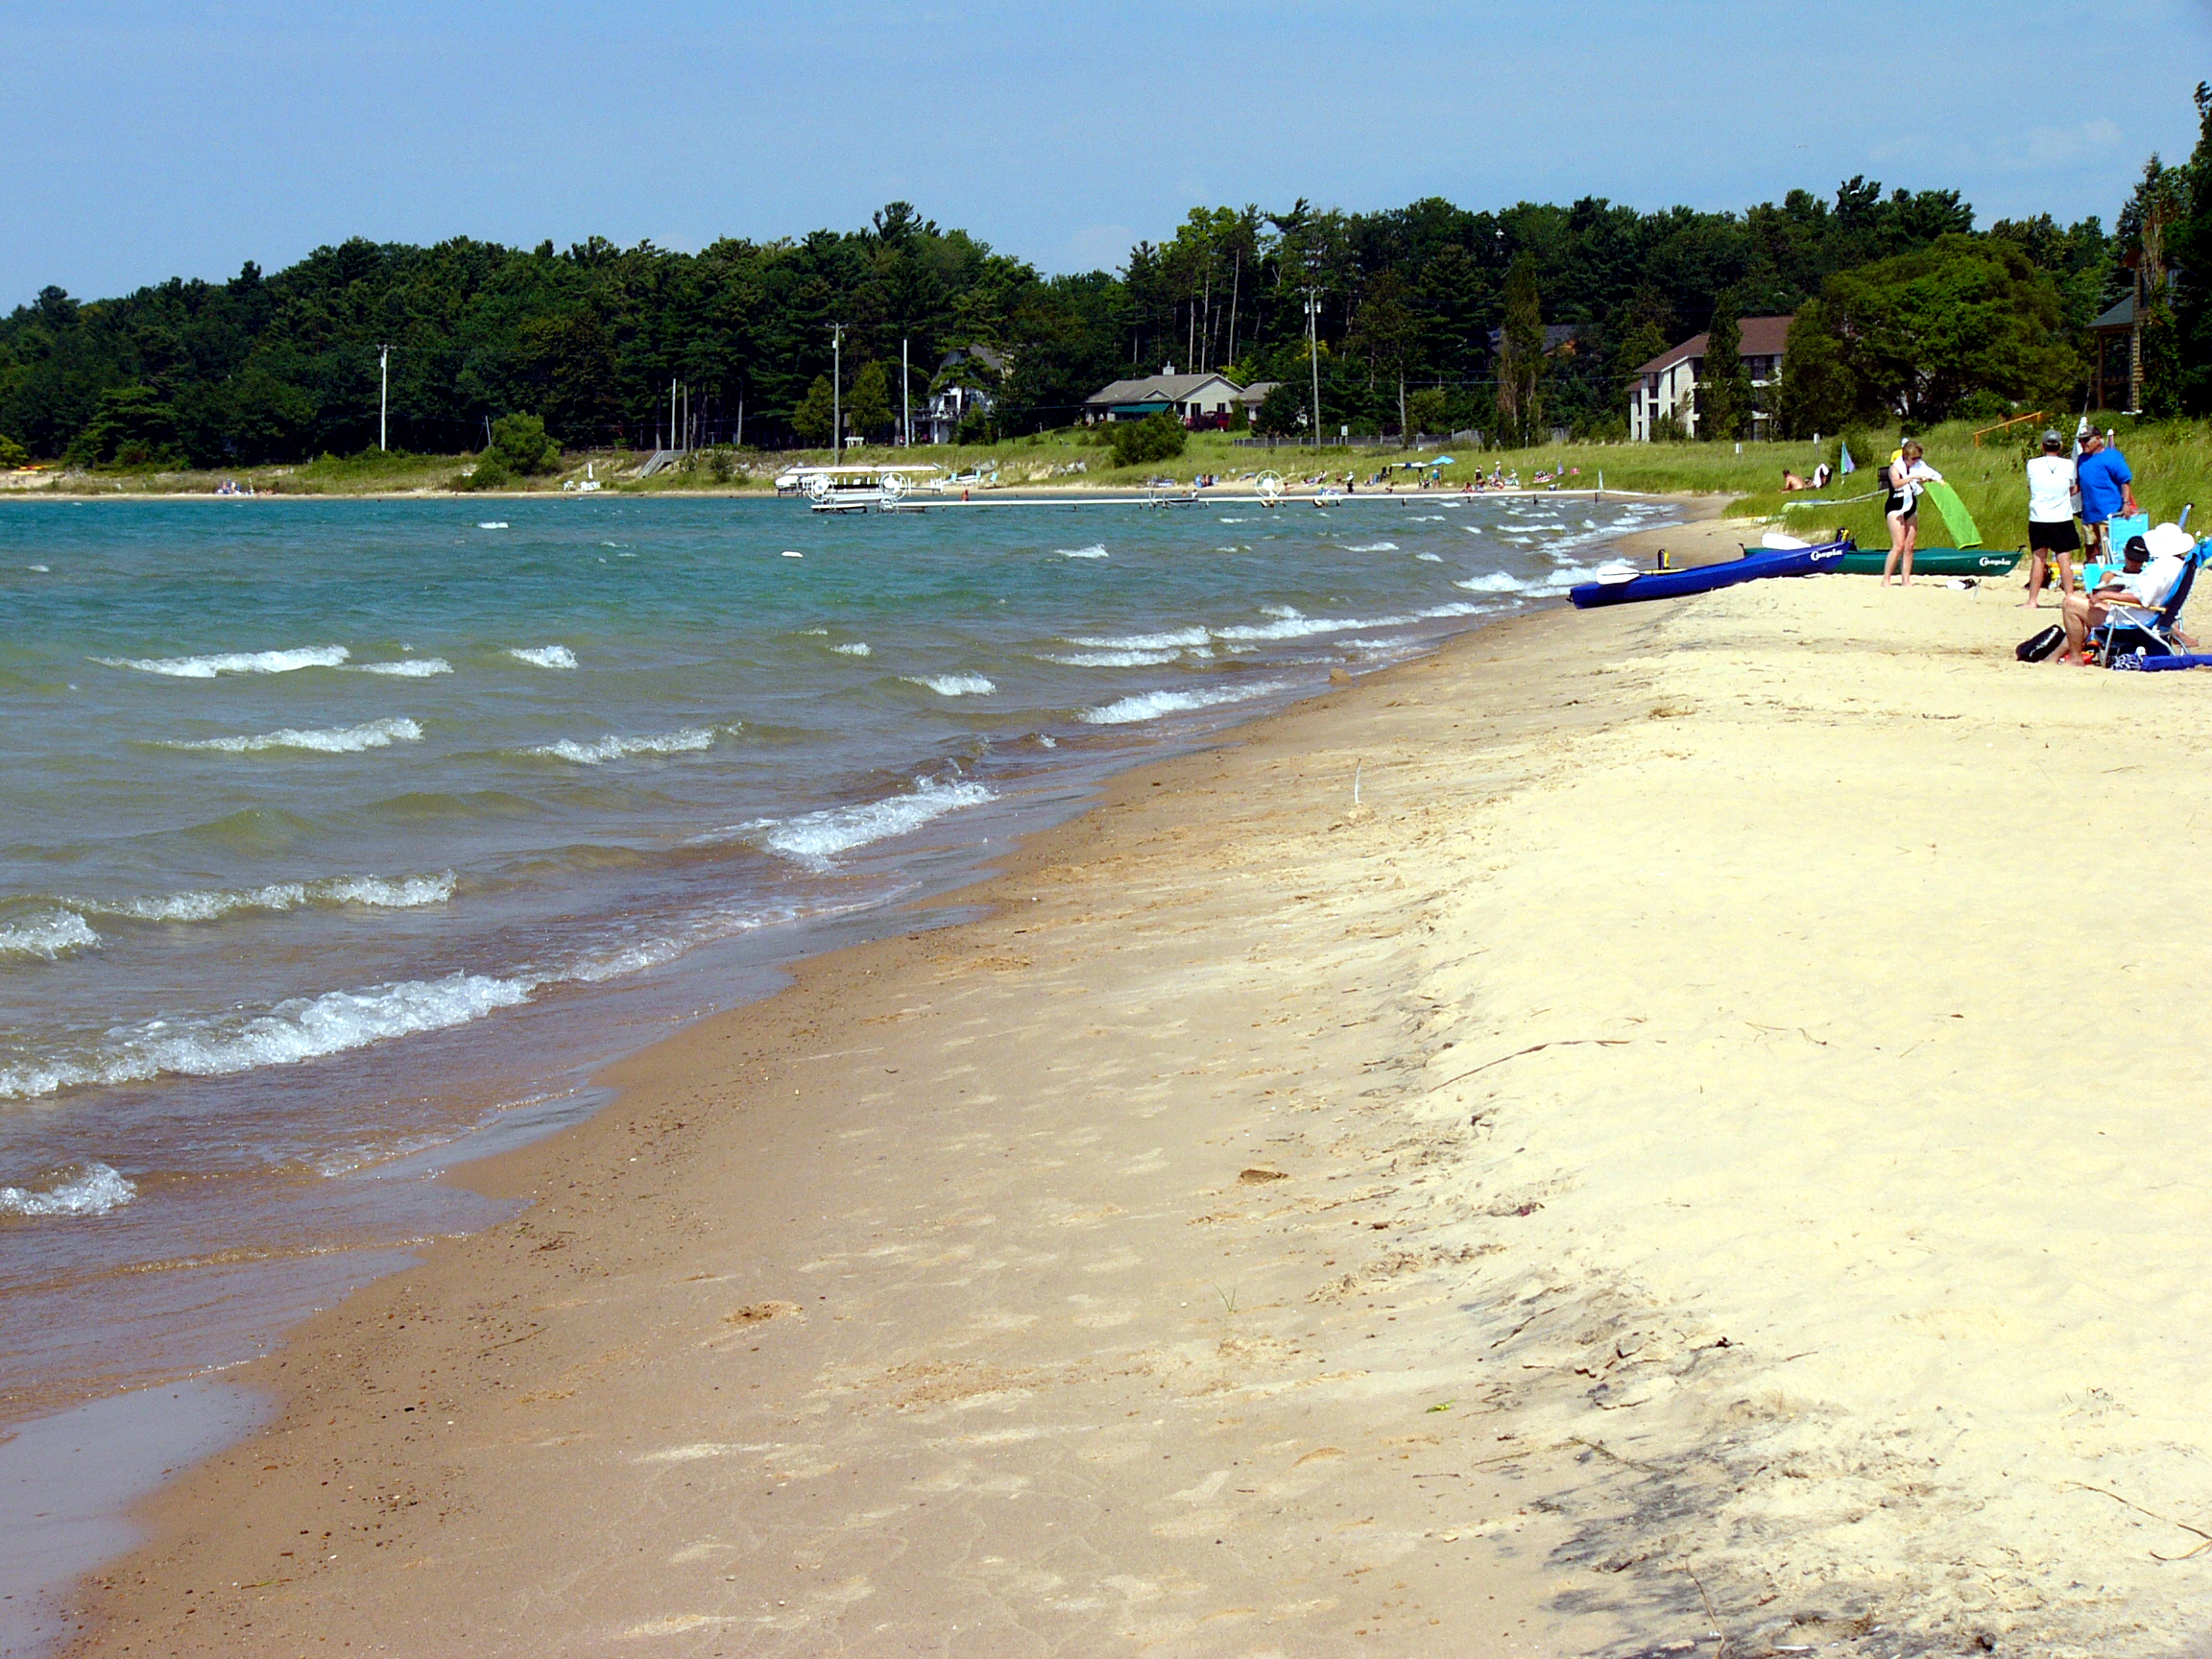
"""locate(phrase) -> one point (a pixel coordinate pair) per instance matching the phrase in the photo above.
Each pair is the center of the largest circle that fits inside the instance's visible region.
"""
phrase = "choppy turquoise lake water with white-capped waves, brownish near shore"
(337, 831)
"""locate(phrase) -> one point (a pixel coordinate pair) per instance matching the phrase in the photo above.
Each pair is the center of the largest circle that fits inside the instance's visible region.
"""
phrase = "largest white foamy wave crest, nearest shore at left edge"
(289, 1034)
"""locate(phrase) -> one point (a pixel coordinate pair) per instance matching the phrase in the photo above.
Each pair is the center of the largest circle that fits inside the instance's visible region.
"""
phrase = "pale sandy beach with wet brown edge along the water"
(1651, 1131)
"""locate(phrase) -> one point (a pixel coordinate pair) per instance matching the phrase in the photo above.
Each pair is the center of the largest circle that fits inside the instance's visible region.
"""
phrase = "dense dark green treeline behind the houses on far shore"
(1426, 317)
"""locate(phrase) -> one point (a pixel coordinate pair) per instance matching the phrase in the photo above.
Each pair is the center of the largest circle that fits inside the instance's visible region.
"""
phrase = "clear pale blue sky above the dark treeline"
(154, 140)
